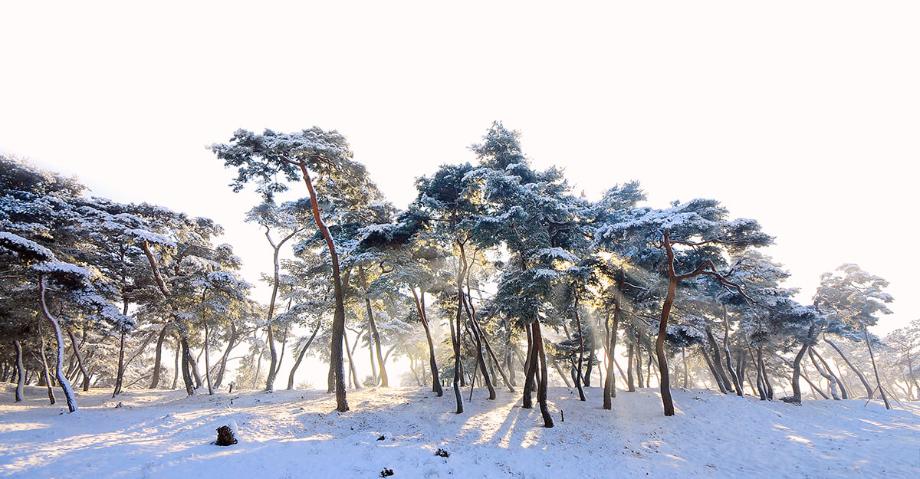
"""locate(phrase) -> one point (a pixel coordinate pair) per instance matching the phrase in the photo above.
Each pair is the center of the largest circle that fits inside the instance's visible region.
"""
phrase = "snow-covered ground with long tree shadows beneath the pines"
(293, 434)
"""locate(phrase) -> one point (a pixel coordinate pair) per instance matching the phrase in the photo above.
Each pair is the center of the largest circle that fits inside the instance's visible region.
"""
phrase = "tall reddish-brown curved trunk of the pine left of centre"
(338, 320)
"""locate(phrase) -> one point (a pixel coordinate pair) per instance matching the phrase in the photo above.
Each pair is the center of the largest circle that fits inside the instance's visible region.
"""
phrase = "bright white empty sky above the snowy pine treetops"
(801, 114)
